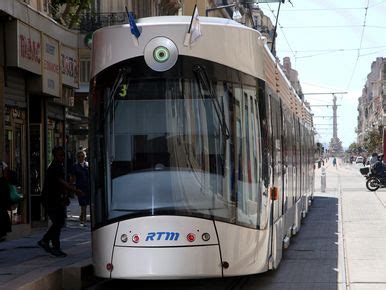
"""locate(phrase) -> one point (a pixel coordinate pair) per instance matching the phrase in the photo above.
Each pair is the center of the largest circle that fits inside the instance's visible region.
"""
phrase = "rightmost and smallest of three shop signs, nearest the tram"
(69, 63)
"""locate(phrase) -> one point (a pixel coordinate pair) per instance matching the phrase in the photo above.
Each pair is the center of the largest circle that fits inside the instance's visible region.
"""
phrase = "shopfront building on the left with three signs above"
(38, 75)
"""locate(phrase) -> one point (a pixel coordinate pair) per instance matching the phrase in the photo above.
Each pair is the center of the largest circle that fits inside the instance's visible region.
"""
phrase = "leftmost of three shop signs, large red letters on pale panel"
(29, 48)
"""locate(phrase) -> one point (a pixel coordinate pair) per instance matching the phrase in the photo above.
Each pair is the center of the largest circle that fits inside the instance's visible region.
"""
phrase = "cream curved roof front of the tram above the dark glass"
(108, 42)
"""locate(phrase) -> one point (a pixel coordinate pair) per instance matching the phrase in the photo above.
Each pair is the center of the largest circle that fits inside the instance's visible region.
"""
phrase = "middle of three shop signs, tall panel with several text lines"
(51, 80)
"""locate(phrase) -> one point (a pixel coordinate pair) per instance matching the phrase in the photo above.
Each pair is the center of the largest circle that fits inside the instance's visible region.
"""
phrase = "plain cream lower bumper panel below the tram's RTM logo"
(166, 263)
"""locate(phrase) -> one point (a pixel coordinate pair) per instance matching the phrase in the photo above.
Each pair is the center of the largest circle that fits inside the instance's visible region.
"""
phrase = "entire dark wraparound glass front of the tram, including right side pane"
(167, 152)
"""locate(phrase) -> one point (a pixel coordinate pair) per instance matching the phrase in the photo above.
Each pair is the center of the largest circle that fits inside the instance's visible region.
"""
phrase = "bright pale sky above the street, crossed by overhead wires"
(332, 45)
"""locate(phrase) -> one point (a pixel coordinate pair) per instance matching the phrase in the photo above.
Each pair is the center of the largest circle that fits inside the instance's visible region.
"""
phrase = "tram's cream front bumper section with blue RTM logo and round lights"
(157, 247)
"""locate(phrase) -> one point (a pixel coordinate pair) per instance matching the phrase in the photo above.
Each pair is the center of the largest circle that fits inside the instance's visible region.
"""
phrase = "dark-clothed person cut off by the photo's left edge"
(5, 202)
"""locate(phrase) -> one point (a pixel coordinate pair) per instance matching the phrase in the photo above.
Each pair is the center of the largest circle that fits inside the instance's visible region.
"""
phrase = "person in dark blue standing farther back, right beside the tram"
(80, 176)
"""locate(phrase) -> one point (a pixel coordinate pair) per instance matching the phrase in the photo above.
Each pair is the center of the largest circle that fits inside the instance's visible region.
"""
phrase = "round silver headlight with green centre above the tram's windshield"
(160, 54)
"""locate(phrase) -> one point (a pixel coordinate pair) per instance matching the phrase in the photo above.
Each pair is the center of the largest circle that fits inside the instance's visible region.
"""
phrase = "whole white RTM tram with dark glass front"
(201, 155)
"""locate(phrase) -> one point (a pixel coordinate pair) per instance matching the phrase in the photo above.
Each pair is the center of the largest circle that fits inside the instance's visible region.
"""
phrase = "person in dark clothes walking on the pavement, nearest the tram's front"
(55, 199)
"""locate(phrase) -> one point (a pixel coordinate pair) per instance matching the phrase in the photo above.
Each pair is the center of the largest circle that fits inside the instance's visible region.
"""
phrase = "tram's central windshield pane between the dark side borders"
(177, 142)
